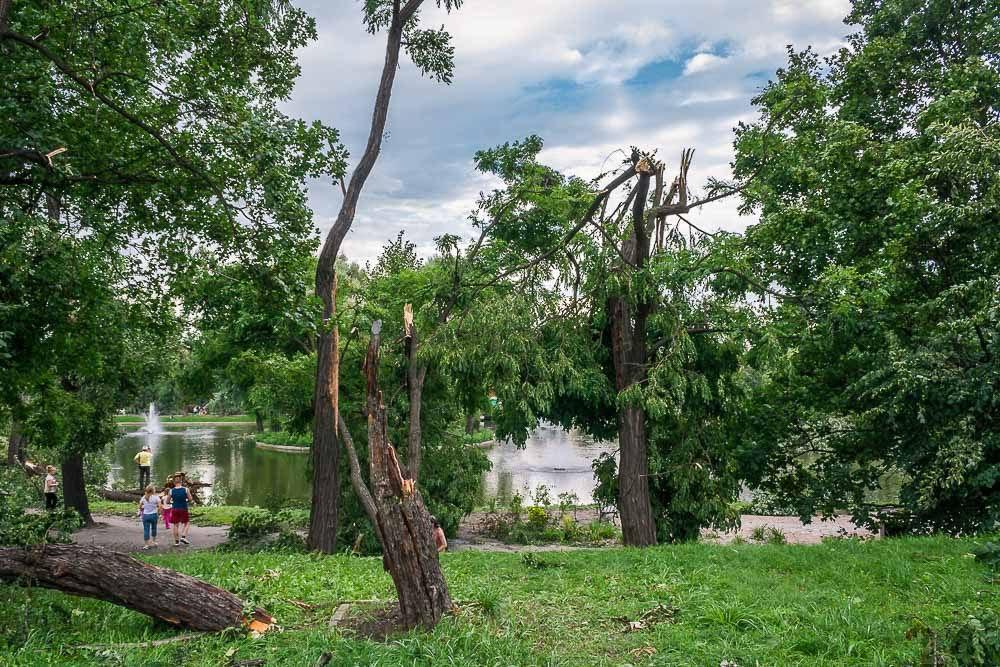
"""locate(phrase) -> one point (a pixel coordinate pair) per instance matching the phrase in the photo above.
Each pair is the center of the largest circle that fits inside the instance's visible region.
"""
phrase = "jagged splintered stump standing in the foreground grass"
(409, 552)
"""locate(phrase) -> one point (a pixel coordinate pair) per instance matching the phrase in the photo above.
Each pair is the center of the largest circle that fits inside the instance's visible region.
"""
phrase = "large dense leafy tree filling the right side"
(875, 179)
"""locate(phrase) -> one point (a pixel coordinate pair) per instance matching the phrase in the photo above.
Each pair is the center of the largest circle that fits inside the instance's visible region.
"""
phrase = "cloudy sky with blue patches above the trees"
(590, 77)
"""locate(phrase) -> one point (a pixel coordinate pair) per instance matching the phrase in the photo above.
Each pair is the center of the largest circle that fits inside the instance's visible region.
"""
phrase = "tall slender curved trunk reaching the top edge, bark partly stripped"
(325, 452)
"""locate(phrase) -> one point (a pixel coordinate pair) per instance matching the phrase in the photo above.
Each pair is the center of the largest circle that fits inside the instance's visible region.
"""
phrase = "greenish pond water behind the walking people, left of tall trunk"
(240, 474)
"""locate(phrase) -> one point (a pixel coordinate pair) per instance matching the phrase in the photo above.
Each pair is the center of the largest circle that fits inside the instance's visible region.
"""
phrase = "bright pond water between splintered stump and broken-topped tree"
(554, 457)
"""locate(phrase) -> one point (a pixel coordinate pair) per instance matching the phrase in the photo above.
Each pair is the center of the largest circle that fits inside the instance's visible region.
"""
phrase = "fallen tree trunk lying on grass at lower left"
(118, 578)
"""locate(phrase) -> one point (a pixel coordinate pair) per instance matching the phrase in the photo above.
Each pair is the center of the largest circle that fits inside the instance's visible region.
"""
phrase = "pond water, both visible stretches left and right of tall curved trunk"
(241, 474)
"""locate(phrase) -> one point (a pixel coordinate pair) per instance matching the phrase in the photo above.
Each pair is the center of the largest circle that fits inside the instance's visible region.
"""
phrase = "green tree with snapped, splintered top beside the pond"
(611, 322)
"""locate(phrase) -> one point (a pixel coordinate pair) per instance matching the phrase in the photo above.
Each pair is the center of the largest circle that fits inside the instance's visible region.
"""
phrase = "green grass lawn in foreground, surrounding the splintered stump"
(840, 603)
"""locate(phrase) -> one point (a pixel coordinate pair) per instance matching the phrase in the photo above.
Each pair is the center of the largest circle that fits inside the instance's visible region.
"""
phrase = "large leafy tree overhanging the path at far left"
(135, 134)
